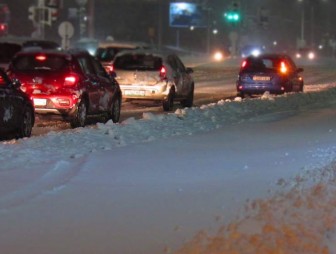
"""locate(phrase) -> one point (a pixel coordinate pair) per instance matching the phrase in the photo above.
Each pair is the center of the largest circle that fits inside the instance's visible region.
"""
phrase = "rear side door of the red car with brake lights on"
(91, 82)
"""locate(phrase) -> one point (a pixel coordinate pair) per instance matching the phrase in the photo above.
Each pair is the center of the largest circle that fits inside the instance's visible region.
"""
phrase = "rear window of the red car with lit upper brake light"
(39, 62)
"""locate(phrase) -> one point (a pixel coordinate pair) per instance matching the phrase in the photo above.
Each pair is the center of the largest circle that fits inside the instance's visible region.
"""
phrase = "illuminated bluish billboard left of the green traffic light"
(186, 15)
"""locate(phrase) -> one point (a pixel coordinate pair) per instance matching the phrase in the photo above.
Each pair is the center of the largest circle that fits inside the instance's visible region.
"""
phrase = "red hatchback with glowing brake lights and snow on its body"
(70, 84)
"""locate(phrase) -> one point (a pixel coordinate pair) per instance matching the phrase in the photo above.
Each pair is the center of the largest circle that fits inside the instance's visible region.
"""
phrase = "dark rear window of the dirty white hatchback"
(138, 62)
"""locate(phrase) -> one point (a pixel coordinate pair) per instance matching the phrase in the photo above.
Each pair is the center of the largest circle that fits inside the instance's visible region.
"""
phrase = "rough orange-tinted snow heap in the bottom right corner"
(300, 219)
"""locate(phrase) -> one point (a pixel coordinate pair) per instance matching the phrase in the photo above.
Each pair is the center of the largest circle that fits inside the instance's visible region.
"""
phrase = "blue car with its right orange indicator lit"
(275, 73)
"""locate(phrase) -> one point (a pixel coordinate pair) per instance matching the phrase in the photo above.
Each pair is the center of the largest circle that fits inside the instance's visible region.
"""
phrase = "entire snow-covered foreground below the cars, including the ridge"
(240, 176)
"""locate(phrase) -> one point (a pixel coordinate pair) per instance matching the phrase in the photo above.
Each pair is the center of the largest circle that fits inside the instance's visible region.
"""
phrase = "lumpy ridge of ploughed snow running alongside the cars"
(76, 143)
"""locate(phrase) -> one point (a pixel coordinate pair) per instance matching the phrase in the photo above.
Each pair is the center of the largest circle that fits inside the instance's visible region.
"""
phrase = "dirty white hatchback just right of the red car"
(150, 75)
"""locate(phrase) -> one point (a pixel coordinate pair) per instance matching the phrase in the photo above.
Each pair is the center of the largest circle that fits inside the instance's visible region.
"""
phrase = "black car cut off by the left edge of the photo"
(17, 115)
